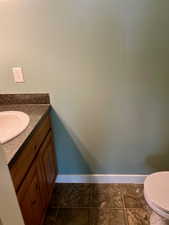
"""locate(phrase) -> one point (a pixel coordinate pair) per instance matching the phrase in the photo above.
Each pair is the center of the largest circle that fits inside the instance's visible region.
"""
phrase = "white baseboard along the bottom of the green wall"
(102, 178)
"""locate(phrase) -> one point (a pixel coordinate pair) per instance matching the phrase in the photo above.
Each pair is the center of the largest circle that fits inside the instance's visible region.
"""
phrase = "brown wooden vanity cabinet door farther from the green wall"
(30, 199)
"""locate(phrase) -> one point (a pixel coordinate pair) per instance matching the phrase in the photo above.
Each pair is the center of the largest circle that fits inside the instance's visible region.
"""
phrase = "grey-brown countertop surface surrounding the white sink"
(36, 113)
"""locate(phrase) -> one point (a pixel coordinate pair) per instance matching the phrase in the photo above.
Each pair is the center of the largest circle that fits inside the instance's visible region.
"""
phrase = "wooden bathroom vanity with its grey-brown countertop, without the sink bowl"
(32, 163)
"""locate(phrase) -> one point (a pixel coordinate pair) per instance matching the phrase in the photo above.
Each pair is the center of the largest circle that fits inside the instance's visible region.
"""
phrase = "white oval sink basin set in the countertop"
(12, 123)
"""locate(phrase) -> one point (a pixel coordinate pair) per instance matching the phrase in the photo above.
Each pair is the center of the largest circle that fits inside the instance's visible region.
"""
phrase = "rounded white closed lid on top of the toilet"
(156, 189)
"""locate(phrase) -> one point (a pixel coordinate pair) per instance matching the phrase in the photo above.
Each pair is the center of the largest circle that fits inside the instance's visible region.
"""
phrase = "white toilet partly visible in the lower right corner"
(156, 193)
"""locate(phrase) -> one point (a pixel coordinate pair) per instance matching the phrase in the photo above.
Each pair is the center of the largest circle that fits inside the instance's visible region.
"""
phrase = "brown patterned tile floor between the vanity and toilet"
(98, 204)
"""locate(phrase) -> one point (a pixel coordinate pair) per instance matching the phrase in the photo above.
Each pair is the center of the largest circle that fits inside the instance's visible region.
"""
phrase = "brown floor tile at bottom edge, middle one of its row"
(106, 216)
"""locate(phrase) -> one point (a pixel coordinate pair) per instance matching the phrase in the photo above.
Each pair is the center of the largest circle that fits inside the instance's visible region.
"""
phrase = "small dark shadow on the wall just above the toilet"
(159, 161)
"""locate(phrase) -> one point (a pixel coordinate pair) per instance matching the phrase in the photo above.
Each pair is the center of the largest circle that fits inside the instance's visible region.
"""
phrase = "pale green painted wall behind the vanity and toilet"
(106, 67)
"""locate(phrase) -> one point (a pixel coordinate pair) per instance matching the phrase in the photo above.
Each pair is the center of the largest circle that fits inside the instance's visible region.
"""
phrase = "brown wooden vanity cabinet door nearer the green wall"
(48, 162)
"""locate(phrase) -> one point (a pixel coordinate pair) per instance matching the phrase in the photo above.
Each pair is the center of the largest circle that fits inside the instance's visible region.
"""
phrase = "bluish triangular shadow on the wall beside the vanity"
(72, 156)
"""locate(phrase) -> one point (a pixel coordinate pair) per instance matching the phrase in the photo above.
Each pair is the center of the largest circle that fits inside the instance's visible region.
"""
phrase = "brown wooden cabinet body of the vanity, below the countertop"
(35, 182)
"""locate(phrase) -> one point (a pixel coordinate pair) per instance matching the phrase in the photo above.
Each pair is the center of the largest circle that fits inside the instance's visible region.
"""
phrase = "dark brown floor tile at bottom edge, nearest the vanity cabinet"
(72, 216)
